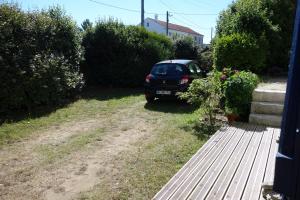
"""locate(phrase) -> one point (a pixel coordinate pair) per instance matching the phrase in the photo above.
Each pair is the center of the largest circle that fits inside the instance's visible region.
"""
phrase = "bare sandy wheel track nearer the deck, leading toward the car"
(99, 164)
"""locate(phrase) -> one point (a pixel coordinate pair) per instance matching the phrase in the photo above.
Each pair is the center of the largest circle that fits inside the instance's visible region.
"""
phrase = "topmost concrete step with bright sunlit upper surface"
(262, 95)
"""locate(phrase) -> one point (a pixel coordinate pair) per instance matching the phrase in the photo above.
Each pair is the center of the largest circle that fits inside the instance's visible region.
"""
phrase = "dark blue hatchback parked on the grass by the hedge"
(171, 76)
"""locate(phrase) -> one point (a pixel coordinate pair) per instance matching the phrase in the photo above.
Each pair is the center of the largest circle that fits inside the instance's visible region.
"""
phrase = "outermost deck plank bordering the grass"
(182, 174)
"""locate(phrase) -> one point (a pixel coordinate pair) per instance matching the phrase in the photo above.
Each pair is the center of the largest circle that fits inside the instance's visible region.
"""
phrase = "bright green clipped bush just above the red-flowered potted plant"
(241, 52)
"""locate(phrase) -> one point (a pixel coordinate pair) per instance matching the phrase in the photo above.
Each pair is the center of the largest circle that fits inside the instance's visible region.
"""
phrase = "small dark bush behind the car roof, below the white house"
(186, 49)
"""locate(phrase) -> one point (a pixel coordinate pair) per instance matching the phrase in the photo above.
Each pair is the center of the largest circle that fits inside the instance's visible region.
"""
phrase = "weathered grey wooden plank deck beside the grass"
(233, 164)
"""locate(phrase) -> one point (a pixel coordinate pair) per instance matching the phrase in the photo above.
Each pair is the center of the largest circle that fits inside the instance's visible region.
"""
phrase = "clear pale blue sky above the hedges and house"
(83, 9)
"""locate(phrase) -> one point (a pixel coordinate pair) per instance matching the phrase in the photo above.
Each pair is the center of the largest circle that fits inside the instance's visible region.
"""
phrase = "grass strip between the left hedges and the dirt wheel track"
(92, 104)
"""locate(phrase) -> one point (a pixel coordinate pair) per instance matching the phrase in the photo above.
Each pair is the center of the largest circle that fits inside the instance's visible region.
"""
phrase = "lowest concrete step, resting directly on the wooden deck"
(267, 120)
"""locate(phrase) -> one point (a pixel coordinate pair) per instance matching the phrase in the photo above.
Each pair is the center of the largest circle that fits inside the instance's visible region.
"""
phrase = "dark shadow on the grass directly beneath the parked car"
(170, 106)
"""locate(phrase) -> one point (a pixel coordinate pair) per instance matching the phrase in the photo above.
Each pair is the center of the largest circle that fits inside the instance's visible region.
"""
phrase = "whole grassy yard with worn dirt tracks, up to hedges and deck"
(110, 141)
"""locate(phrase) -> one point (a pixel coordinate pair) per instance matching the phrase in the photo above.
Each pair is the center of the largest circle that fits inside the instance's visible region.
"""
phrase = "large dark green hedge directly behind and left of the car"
(120, 55)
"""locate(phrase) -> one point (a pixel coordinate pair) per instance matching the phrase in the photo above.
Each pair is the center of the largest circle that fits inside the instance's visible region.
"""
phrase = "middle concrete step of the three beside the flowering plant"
(267, 108)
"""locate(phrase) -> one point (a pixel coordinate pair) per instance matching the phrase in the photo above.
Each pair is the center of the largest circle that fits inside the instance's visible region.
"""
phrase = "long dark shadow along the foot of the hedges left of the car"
(98, 93)
